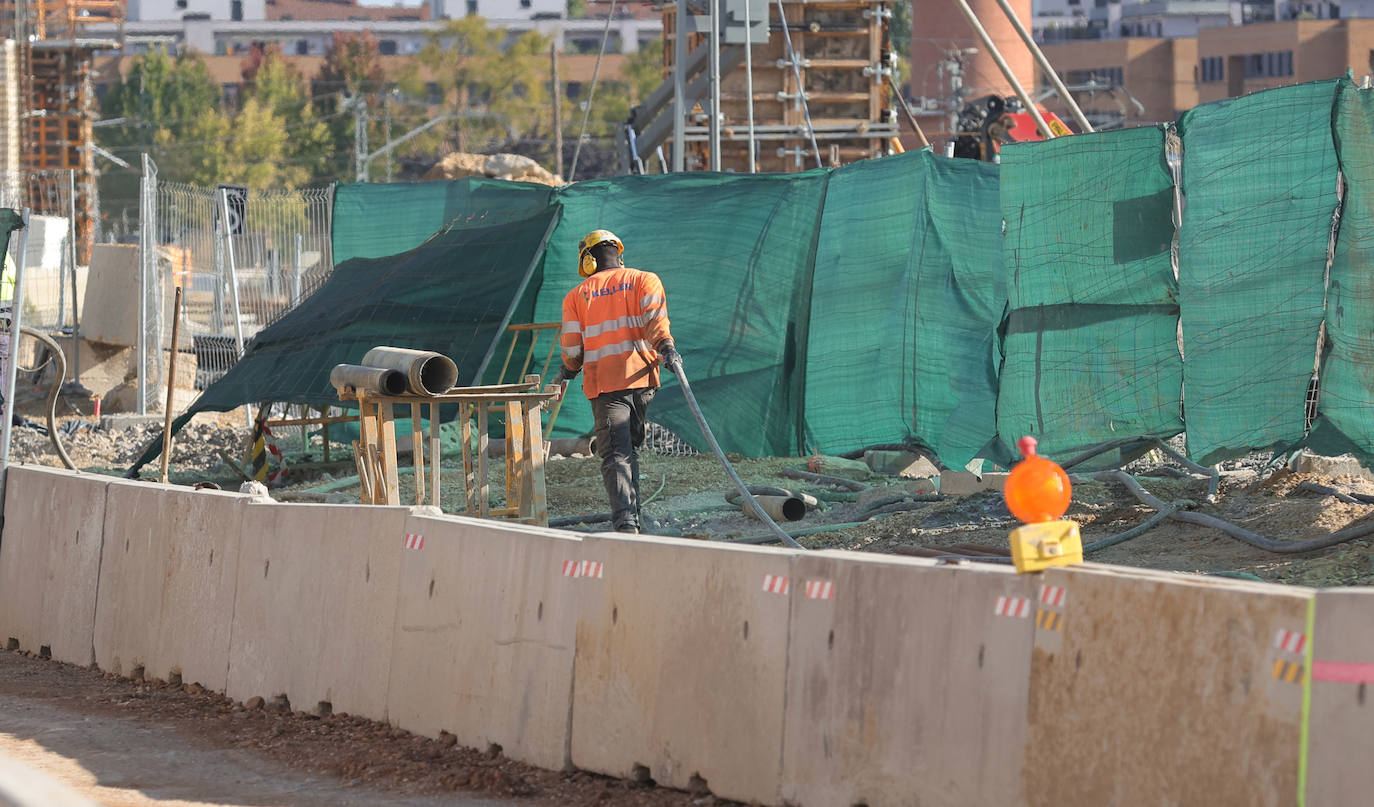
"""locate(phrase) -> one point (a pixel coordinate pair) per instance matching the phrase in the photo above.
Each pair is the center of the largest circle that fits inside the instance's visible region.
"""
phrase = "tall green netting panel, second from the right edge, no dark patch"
(1259, 179)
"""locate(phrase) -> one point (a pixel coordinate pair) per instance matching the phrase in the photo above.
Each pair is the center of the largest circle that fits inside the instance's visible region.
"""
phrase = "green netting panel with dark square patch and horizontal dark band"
(1090, 349)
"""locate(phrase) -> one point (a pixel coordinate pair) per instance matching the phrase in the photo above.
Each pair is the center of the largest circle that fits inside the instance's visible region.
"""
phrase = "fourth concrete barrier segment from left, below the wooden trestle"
(486, 629)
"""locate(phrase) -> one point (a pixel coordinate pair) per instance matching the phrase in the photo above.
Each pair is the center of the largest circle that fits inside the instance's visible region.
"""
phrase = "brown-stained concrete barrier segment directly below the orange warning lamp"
(1163, 689)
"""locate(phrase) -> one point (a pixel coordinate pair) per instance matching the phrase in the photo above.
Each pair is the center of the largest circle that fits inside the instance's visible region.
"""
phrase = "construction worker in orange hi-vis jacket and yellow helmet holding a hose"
(616, 333)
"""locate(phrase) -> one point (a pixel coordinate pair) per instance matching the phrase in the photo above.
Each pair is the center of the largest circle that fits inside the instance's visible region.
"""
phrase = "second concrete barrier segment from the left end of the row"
(168, 577)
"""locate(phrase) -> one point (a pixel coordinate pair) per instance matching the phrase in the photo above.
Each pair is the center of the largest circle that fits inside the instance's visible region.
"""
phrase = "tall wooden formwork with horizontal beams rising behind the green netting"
(843, 53)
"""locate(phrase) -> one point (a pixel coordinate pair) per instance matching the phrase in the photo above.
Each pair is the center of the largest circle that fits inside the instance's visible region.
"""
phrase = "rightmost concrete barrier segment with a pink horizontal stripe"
(1342, 714)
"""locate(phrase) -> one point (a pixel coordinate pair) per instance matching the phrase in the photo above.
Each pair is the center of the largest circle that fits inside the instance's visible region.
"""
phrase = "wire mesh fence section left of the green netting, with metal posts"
(241, 258)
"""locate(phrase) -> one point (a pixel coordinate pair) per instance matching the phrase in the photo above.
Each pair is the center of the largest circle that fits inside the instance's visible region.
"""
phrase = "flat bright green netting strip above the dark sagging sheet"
(379, 221)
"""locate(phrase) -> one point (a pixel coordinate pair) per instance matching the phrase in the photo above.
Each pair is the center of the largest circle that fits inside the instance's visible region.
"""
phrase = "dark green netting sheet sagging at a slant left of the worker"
(454, 295)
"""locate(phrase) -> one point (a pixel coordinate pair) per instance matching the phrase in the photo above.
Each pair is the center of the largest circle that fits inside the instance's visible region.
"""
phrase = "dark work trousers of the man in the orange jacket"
(620, 432)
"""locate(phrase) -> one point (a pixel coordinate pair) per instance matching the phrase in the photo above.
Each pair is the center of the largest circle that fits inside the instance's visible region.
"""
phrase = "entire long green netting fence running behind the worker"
(932, 302)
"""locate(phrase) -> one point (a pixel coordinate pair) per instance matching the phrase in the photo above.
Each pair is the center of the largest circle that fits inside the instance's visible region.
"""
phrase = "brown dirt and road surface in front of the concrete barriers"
(134, 744)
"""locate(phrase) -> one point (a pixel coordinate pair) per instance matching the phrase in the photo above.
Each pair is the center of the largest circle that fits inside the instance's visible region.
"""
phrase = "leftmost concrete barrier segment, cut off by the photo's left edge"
(50, 557)
